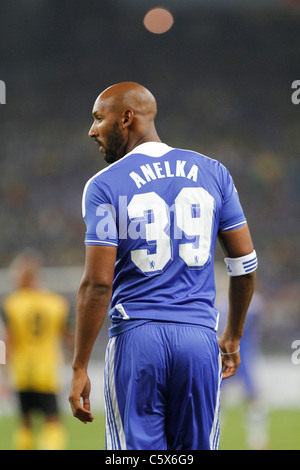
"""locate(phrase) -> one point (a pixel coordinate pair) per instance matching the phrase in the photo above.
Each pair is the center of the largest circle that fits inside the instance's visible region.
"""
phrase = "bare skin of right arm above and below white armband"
(236, 243)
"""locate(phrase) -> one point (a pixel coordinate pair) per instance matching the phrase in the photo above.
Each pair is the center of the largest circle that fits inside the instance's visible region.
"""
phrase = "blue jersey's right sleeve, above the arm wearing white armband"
(232, 214)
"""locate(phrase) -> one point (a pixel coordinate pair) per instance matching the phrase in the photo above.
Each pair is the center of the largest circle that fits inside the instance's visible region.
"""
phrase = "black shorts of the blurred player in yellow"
(35, 401)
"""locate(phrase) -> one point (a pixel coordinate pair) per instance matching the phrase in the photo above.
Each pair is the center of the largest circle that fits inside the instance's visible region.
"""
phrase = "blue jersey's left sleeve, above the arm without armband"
(99, 215)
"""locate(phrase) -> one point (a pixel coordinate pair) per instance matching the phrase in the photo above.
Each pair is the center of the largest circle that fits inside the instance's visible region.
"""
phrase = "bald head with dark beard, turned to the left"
(124, 116)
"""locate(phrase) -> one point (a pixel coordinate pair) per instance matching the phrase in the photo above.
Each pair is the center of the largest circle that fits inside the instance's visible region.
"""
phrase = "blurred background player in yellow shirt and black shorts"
(35, 323)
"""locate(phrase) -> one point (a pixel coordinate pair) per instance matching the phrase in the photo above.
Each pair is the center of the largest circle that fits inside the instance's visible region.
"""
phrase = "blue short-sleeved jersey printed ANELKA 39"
(162, 208)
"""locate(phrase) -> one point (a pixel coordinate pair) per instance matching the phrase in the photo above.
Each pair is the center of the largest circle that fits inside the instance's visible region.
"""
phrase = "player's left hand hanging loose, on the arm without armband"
(80, 390)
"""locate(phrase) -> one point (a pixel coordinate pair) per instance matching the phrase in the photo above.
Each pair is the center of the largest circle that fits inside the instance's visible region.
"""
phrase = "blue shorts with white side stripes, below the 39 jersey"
(162, 388)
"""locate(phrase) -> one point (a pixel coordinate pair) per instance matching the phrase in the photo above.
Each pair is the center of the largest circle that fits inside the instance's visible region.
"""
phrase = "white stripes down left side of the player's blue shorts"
(115, 437)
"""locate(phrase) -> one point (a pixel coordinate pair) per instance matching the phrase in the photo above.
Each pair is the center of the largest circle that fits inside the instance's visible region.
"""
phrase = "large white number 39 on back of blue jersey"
(194, 210)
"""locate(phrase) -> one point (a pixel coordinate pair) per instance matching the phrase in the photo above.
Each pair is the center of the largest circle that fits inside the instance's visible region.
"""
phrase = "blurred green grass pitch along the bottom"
(284, 431)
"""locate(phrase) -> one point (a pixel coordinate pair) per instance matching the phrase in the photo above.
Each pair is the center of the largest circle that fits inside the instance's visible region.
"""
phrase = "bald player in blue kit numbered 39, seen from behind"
(152, 218)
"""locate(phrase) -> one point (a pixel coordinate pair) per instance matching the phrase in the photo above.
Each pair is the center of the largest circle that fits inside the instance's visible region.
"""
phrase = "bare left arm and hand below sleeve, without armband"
(93, 299)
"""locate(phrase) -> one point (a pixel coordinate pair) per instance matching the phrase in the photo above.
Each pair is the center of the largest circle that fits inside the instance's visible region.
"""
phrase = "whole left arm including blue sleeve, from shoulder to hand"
(95, 289)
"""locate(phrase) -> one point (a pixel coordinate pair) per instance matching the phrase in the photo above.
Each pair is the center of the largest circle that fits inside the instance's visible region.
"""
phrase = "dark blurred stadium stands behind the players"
(222, 77)
